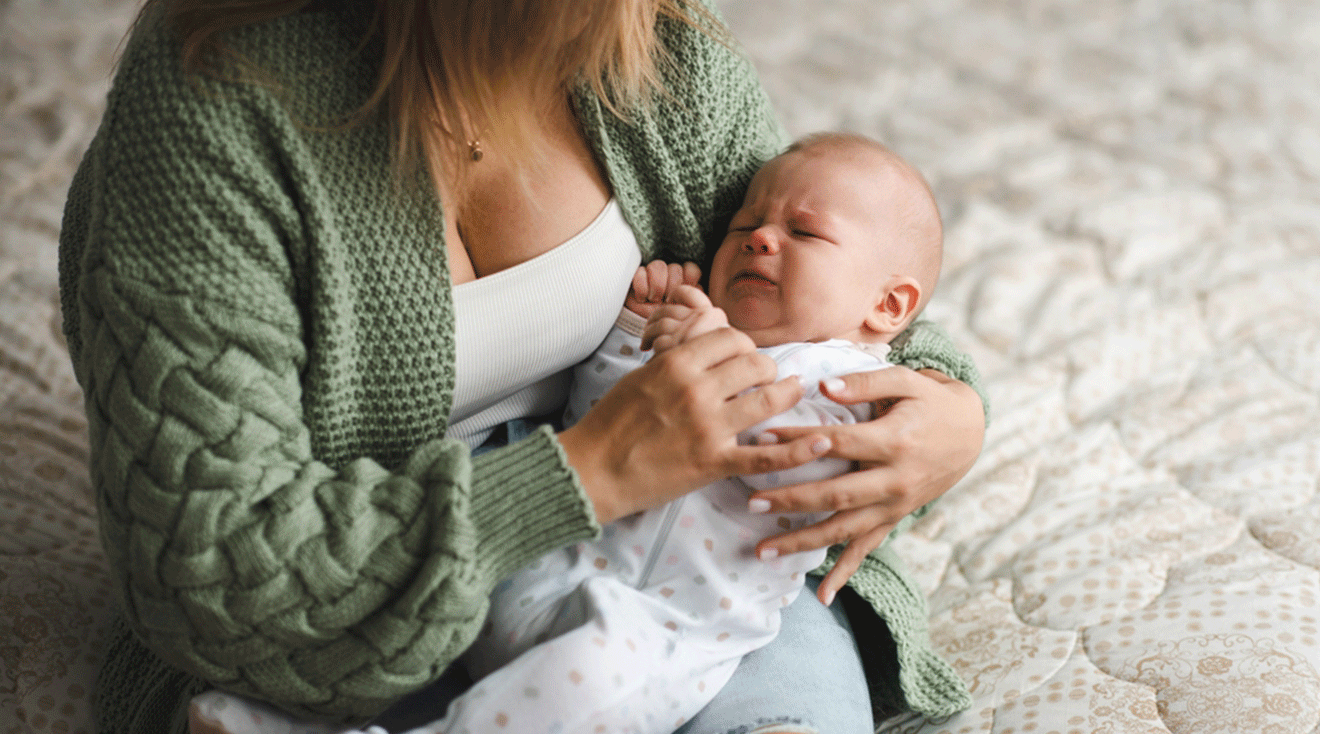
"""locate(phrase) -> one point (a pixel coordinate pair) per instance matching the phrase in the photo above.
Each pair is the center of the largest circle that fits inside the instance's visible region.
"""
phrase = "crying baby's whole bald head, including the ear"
(838, 238)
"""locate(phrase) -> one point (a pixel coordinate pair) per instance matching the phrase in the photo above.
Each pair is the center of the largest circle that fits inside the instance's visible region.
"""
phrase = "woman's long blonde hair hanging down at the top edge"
(456, 72)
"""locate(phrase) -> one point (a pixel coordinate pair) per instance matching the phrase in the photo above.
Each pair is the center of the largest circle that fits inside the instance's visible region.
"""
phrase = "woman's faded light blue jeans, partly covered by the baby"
(808, 681)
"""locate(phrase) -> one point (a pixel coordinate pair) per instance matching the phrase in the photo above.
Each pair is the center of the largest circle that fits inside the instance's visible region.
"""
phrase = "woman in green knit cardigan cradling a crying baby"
(320, 253)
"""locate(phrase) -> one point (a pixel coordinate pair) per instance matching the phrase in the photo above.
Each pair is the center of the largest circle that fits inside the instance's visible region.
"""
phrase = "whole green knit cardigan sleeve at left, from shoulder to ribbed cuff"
(242, 556)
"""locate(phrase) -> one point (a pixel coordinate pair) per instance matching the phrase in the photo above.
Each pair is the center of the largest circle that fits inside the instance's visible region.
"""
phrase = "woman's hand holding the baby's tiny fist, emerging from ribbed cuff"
(671, 426)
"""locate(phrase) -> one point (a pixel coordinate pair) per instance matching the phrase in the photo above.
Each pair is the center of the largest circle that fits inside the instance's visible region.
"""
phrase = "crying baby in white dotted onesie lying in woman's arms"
(836, 249)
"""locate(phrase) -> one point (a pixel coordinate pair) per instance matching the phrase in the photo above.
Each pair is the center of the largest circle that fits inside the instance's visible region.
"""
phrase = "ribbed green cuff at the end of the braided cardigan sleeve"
(527, 501)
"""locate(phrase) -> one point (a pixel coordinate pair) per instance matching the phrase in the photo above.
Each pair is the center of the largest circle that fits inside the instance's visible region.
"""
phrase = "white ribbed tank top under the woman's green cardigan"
(519, 332)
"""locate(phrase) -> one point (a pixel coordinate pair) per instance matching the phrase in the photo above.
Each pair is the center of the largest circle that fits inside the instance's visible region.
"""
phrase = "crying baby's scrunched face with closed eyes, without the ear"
(803, 261)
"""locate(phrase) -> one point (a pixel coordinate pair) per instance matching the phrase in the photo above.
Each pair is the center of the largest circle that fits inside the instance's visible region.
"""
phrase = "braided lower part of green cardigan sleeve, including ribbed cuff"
(246, 562)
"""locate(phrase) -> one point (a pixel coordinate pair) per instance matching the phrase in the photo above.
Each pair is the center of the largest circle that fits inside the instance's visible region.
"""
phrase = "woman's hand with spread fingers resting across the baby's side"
(926, 438)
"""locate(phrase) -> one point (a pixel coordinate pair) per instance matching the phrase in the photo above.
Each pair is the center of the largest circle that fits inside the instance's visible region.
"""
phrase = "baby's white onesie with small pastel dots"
(640, 630)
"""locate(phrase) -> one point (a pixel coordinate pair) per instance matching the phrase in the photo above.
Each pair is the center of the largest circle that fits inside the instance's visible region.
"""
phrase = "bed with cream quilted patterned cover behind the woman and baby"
(1132, 199)
